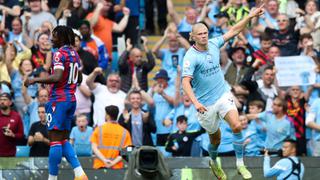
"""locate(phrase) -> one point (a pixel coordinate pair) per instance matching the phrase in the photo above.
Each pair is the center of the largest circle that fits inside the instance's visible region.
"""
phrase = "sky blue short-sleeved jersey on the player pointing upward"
(204, 68)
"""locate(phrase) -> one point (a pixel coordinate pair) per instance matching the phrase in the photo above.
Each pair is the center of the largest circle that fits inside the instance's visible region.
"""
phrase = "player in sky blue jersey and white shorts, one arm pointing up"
(210, 94)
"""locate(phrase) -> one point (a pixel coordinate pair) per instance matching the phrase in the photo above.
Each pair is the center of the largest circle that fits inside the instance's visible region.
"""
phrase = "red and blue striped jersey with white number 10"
(67, 59)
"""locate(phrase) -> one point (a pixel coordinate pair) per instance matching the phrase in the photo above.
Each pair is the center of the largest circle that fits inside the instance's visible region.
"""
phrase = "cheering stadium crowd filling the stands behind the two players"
(116, 61)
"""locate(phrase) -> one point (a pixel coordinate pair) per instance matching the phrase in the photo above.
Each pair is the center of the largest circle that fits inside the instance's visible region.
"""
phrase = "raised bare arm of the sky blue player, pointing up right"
(237, 28)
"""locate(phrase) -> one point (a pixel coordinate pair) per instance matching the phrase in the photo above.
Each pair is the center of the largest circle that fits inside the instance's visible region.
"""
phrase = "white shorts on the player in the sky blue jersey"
(209, 120)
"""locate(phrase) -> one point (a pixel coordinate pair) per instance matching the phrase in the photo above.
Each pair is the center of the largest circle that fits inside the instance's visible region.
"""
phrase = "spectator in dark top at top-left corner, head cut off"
(12, 8)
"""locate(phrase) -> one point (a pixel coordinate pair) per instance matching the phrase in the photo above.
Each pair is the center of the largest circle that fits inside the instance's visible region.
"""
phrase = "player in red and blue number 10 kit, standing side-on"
(60, 109)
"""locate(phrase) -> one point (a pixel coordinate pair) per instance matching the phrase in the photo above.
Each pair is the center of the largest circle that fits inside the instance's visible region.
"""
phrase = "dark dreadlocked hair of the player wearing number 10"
(65, 35)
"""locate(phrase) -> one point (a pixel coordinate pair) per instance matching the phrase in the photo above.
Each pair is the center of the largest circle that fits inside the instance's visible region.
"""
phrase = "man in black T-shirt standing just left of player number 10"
(38, 135)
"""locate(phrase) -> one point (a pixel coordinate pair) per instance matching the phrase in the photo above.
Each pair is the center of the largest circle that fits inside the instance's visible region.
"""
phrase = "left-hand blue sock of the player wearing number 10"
(55, 155)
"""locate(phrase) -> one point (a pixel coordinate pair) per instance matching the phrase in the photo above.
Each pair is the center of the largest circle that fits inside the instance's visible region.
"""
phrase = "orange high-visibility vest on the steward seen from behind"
(110, 138)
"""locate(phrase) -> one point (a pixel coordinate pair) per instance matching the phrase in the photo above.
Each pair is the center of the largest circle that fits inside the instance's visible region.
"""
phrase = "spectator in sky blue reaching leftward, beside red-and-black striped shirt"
(278, 124)
